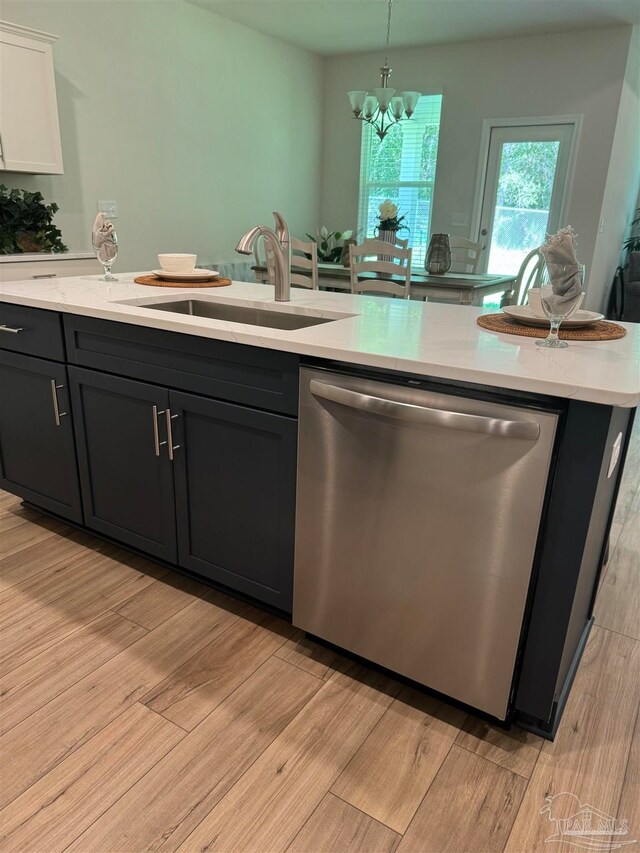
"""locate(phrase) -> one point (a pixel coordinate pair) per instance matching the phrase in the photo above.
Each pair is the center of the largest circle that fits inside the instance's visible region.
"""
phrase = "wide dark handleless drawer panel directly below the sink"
(241, 374)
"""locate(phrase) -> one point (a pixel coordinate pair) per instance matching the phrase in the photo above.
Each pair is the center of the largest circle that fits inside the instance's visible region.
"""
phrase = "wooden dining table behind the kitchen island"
(454, 287)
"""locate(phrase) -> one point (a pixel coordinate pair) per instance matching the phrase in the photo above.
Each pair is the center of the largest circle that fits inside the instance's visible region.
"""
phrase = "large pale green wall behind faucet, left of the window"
(197, 126)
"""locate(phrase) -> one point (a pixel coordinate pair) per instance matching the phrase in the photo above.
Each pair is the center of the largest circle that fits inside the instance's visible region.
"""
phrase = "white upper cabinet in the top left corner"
(29, 129)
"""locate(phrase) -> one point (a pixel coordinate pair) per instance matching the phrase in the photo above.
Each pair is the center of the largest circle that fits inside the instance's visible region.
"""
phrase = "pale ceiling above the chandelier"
(346, 26)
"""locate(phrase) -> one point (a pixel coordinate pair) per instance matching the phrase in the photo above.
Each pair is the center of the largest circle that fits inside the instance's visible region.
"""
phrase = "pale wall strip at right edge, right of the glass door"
(623, 180)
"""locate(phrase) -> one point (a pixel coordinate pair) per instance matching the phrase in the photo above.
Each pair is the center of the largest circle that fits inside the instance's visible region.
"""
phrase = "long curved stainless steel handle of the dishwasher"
(420, 414)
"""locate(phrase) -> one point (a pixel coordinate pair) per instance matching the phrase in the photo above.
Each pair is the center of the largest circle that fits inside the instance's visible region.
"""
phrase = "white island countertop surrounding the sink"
(436, 340)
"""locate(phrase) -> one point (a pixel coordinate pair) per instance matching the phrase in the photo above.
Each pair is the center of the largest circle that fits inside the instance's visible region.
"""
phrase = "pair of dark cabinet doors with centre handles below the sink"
(149, 457)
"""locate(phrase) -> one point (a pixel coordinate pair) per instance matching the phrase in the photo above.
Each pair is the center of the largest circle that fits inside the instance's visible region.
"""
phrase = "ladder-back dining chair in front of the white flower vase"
(360, 261)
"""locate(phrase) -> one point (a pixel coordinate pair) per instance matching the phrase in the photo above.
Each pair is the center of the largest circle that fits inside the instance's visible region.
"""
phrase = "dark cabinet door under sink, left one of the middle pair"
(125, 471)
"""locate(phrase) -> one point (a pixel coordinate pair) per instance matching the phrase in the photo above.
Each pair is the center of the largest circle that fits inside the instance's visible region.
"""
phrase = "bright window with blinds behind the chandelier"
(402, 167)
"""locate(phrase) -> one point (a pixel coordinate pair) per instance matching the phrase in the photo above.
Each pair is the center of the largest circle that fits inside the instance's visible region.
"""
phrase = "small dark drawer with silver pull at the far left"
(31, 331)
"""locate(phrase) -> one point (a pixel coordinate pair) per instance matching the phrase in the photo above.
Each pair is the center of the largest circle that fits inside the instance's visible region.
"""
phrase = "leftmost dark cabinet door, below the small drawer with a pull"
(37, 453)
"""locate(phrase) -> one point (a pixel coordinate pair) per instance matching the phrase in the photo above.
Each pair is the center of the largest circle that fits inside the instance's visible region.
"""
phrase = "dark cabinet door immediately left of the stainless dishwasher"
(235, 491)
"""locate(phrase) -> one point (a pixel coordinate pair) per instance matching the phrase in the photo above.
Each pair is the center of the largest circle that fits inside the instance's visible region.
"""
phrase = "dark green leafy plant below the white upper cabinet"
(26, 223)
